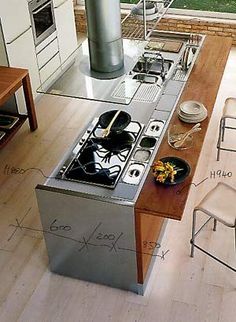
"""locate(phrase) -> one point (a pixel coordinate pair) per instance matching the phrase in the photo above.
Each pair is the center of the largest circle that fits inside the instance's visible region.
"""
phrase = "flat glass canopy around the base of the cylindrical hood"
(80, 81)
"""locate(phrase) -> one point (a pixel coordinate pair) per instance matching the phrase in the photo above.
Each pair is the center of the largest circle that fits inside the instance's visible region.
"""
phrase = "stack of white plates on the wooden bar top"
(192, 112)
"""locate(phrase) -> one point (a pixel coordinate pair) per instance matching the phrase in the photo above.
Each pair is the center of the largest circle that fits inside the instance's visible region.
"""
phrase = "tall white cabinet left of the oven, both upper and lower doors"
(19, 42)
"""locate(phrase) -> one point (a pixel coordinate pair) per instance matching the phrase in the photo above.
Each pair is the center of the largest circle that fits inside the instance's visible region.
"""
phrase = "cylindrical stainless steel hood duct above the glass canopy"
(104, 35)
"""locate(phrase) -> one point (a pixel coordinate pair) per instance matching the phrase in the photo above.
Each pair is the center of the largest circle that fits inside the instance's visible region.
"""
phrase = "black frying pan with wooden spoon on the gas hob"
(122, 120)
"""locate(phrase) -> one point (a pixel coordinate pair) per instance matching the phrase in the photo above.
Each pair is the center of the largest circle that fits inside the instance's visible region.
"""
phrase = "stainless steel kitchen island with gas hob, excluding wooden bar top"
(89, 226)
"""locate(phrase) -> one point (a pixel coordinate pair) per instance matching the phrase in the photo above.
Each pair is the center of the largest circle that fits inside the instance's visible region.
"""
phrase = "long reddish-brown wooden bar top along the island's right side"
(202, 85)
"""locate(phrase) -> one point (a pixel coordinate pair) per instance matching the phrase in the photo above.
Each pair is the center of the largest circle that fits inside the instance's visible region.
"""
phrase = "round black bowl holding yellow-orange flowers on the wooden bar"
(181, 175)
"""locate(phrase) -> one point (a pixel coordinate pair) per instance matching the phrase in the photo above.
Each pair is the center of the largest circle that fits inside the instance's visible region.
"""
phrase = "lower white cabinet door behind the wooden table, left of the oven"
(21, 53)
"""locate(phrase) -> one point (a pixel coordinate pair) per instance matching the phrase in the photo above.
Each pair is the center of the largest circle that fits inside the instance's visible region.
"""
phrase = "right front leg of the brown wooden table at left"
(29, 103)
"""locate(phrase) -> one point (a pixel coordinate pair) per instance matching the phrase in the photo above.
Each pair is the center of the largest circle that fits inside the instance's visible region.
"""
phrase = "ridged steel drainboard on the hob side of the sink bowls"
(147, 93)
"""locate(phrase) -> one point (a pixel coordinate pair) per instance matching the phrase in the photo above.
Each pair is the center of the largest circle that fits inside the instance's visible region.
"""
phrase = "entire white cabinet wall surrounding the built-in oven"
(45, 59)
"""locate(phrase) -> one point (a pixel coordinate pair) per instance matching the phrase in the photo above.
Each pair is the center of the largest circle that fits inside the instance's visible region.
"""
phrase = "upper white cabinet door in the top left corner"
(15, 18)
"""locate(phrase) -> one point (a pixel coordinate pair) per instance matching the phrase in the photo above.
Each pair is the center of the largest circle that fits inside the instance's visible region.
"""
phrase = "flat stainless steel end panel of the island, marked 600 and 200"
(89, 239)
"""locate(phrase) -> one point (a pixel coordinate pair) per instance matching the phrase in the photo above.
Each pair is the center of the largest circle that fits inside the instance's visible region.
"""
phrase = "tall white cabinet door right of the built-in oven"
(66, 32)
